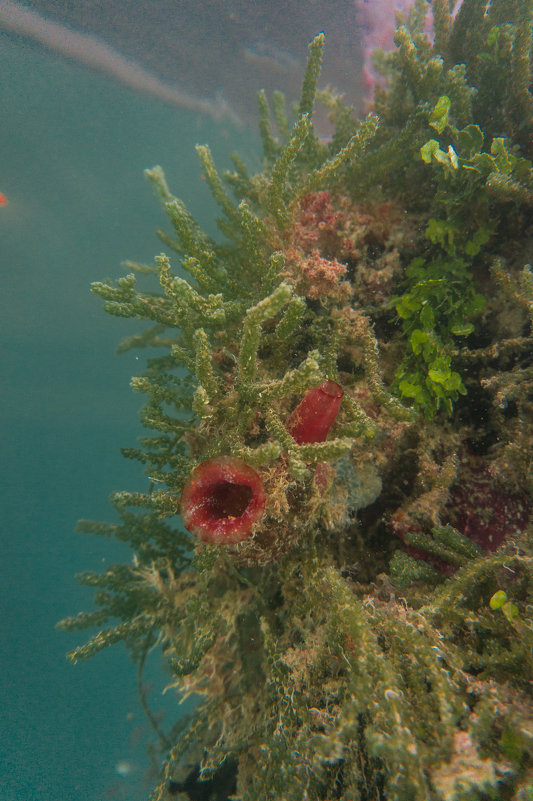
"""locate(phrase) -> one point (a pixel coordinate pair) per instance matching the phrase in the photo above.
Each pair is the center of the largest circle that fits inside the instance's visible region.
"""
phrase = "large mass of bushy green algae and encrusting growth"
(366, 634)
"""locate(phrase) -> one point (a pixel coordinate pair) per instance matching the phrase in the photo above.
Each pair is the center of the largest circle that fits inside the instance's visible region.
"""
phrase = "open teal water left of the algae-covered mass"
(72, 149)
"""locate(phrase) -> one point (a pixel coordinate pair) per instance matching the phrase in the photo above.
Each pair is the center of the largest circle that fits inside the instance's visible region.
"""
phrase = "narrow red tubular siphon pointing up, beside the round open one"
(314, 416)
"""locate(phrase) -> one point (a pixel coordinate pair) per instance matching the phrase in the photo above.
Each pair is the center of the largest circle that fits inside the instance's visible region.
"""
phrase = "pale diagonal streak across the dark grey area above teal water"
(92, 51)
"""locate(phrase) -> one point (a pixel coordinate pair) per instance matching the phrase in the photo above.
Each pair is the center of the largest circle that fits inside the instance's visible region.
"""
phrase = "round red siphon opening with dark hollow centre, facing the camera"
(221, 500)
